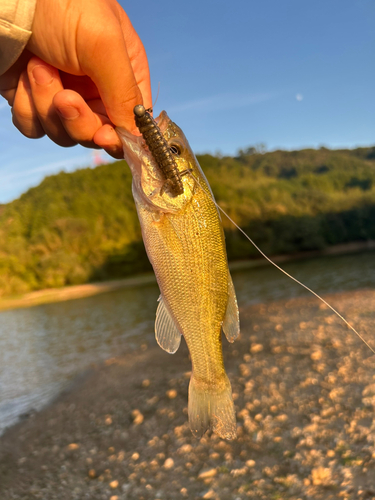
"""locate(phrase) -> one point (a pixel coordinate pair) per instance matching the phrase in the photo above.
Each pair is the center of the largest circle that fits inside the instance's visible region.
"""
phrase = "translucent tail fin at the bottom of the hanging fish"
(211, 407)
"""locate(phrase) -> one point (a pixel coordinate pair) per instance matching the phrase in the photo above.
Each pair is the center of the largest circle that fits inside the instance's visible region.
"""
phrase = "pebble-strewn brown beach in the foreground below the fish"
(304, 391)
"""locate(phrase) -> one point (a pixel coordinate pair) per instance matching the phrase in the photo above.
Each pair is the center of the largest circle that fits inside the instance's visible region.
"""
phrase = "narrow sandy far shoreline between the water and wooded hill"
(73, 292)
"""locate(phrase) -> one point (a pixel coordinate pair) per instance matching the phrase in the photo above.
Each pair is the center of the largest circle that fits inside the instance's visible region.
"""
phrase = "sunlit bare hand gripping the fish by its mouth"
(82, 72)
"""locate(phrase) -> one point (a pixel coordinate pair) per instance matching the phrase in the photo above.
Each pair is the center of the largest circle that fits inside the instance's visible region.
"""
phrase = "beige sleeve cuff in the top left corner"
(16, 19)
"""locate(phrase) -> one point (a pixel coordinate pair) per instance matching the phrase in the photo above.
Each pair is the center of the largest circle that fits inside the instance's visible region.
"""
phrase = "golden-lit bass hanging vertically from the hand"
(185, 243)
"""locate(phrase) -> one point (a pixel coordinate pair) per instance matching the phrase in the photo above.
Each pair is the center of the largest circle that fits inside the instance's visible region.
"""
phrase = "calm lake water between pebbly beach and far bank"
(43, 348)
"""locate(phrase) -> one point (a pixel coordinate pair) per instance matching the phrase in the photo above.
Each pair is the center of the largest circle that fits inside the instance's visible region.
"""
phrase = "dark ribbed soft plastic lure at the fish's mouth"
(160, 150)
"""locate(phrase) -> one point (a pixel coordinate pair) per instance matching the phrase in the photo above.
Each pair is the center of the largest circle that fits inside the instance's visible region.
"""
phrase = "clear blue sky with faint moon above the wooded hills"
(290, 74)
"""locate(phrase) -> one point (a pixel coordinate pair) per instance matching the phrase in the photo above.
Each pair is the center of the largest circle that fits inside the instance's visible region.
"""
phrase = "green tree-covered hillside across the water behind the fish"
(82, 226)
